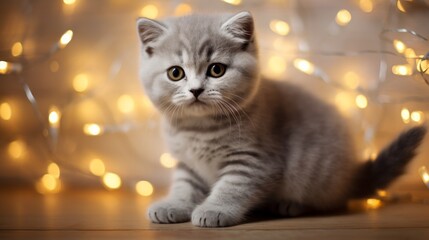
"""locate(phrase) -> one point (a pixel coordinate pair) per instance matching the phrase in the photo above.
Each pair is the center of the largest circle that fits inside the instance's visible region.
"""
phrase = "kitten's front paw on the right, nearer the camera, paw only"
(207, 215)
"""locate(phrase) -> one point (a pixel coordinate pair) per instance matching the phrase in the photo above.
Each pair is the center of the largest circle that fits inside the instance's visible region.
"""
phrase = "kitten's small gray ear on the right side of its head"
(239, 26)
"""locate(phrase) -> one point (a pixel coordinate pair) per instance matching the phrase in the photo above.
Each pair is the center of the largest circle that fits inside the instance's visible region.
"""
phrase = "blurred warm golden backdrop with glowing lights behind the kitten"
(74, 115)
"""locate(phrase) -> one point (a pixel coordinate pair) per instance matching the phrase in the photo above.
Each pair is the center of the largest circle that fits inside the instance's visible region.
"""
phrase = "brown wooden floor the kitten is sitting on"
(98, 214)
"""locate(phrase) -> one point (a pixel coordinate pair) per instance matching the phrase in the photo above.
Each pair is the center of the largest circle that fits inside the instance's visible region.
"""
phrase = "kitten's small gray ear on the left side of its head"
(150, 30)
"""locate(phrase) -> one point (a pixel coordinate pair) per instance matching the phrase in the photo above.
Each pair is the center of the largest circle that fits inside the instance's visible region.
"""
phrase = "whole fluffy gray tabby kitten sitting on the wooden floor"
(243, 142)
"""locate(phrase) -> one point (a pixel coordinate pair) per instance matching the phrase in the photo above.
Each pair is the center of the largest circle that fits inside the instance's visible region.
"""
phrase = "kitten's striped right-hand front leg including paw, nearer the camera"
(236, 192)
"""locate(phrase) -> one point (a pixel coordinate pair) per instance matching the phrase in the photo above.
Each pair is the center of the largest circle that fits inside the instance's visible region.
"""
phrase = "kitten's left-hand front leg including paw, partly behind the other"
(187, 190)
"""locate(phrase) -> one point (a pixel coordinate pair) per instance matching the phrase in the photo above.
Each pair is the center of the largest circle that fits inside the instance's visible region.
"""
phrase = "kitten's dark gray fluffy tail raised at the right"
(389, 164)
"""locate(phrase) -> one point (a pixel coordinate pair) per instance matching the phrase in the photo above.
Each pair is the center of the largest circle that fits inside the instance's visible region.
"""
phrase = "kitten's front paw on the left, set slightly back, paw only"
(170, 212)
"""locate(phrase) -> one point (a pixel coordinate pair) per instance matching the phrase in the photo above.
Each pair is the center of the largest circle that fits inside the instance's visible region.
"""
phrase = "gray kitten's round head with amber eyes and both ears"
(199, 65)
